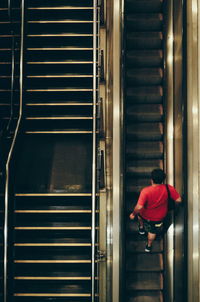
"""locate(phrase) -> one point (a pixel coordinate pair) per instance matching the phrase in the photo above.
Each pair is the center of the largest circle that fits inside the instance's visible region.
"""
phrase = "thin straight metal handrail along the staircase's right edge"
(94, 147)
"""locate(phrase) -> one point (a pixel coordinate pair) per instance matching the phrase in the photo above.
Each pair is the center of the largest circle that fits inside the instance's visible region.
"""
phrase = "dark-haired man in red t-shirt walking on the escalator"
(152, 206)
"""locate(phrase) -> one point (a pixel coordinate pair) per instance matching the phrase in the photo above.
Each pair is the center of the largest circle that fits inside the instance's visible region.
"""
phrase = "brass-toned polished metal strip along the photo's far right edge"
(193, 182)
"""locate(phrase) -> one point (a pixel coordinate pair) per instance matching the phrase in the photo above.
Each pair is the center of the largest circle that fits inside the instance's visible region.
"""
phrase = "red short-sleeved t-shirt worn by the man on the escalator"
(154, 201)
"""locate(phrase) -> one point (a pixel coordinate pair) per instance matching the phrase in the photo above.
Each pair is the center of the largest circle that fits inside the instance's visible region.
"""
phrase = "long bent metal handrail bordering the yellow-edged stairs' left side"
(5, 268)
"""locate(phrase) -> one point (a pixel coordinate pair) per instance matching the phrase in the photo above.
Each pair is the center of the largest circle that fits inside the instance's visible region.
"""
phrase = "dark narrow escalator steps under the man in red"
(144, 139)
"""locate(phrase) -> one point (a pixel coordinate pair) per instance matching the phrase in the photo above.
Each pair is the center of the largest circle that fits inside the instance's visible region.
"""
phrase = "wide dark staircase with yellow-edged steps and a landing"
(53, 241)
